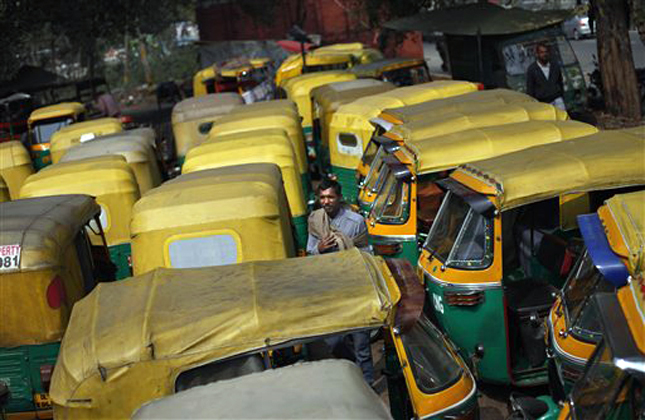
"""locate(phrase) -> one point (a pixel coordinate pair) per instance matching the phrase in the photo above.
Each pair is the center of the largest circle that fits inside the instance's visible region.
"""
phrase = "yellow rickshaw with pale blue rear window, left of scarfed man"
(189, 222)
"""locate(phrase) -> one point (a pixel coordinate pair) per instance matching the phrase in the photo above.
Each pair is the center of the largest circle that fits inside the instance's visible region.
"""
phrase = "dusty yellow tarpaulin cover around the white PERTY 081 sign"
(44, 229)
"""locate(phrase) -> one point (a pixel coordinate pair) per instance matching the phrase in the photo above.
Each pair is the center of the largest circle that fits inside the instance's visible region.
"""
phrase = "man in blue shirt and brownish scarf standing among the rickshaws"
(335, 227)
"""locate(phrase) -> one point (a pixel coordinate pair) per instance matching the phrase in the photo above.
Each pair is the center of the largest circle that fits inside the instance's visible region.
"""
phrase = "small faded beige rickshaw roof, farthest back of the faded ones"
(211, 105)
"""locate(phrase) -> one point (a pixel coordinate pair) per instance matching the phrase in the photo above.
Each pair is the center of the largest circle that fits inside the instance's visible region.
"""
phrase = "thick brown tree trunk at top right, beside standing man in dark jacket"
(615, 59)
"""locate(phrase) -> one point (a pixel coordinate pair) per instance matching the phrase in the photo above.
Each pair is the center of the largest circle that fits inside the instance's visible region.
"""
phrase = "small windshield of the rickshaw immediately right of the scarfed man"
(391, 206)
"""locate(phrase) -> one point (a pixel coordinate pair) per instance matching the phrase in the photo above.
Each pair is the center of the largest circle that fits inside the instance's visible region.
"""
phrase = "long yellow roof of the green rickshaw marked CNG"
(604, 160)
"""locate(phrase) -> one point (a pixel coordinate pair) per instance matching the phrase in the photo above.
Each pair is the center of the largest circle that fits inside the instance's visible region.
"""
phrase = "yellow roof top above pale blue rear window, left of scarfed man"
(252, 190)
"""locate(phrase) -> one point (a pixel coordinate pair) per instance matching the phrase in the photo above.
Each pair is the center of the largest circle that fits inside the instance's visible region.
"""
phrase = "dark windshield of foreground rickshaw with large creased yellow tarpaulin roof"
(433, 366)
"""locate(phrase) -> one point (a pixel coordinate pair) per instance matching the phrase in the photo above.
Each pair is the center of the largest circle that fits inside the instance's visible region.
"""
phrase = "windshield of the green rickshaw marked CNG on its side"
(460, 237)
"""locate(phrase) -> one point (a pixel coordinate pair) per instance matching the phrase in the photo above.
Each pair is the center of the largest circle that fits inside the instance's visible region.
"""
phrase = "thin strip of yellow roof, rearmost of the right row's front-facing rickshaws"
(462, 103)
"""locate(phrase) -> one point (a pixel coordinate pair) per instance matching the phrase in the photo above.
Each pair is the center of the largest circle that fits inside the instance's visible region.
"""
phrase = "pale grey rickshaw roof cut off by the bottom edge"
(330, 389)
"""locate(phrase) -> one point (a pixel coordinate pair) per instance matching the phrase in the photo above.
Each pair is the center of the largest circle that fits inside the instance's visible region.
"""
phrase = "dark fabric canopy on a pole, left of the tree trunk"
(479, 19)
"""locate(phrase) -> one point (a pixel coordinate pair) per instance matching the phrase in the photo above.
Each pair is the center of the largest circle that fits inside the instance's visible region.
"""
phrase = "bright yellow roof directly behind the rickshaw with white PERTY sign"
(96, 176)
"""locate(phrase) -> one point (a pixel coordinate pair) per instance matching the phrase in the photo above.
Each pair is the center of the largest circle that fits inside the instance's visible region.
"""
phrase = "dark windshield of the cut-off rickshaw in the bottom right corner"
(601, 390)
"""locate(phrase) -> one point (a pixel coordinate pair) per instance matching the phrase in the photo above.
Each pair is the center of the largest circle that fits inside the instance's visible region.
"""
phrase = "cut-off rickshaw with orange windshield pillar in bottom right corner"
(611, 386)
